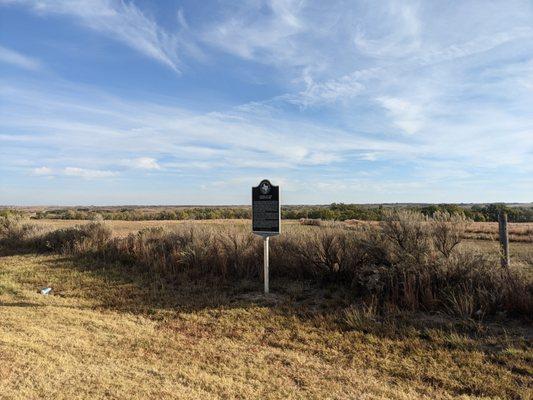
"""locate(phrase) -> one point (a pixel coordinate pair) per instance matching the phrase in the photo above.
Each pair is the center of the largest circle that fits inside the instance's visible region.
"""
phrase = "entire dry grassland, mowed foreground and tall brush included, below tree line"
(179, 313)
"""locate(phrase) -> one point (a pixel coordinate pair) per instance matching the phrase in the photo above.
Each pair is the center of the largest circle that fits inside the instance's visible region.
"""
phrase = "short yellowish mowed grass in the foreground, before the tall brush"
(105, 333)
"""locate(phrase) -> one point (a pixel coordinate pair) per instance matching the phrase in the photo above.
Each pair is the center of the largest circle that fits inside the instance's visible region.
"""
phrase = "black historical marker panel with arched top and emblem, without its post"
(265, 209)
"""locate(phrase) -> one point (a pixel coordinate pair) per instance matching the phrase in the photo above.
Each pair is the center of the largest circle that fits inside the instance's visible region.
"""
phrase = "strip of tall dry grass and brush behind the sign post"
(408, 261)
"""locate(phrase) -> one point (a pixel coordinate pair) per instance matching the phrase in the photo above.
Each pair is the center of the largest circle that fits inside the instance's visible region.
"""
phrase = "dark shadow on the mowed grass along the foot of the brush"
(129, 288)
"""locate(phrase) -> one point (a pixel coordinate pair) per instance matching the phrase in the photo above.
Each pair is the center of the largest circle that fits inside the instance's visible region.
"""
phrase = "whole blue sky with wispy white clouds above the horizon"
(107, 102)
